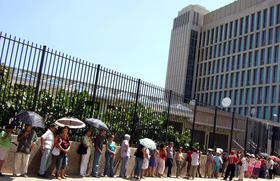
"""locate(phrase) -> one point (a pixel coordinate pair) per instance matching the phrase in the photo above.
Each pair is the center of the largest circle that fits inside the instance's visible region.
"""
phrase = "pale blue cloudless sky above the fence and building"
(128, 36)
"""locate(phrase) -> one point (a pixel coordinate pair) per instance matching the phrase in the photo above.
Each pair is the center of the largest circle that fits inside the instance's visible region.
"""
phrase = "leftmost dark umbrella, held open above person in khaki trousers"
(31, 118)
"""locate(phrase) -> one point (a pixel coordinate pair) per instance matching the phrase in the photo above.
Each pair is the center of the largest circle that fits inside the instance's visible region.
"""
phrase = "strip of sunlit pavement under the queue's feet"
(70, 178)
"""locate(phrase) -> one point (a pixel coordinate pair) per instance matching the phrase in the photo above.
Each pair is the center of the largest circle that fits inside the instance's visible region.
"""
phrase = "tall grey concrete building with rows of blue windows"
(231, 52)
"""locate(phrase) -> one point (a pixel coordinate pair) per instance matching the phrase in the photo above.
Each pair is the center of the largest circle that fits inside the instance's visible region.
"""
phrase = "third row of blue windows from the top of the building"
(245, 60)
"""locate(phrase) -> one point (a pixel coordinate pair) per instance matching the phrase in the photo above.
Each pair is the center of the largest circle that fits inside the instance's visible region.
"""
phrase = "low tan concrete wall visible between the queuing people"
(74, 159)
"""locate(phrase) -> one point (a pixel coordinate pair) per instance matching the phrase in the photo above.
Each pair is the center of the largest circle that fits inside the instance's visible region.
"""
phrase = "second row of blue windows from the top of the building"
(249, 42)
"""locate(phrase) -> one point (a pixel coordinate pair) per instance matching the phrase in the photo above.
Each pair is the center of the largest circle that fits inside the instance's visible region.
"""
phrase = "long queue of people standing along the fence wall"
(221, 165)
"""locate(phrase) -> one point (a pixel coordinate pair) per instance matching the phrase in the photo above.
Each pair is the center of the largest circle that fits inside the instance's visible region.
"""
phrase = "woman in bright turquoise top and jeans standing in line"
(110, 156)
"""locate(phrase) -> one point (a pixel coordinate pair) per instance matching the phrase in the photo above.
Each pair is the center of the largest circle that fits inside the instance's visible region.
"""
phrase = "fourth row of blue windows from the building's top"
(256, 76)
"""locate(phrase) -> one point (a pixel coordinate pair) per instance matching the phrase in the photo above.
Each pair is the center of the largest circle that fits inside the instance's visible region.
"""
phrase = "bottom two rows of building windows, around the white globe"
(245, 97)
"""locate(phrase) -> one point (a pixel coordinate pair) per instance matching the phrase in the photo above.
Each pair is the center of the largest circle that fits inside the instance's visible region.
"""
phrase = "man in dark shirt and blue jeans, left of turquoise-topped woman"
(98, 144)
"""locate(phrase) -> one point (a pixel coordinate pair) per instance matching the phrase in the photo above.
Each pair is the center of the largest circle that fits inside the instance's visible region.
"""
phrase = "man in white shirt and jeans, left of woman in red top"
(47, 142)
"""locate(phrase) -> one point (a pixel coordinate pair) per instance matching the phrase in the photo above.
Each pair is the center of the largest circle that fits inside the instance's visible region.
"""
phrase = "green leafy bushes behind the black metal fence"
(54, 104)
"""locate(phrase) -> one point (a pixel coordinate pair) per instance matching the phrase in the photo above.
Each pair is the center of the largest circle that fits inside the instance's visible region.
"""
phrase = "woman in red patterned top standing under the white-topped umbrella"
(63, 144)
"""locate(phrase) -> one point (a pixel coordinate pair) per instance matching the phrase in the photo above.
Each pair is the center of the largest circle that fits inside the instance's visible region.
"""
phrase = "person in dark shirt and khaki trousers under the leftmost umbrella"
(26, 141)
